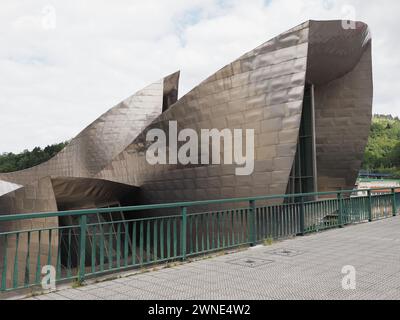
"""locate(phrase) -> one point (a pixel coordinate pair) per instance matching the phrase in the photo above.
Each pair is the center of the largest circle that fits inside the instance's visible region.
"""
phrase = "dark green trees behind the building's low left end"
(10, 162)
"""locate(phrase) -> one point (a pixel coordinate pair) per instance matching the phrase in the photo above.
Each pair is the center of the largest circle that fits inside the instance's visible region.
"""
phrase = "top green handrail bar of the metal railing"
(78, 213)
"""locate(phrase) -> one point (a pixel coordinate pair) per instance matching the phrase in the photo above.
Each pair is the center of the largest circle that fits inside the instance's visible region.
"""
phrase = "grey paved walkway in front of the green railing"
(307, 267)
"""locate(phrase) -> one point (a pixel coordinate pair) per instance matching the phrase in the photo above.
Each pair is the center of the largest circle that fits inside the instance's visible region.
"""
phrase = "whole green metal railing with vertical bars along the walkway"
(100, 242)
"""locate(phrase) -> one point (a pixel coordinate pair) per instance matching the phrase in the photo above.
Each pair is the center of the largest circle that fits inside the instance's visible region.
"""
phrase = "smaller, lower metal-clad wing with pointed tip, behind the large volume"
(105, 138)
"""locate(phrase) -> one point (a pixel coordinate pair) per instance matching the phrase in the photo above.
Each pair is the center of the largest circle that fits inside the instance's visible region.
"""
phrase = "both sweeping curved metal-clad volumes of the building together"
(262, 90)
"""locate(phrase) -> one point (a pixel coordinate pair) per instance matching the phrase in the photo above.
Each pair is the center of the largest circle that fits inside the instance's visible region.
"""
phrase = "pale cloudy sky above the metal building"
(64, 63)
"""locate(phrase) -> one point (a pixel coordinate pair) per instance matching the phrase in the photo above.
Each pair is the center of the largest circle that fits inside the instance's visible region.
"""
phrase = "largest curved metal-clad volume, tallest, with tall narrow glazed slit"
(263, 90)
